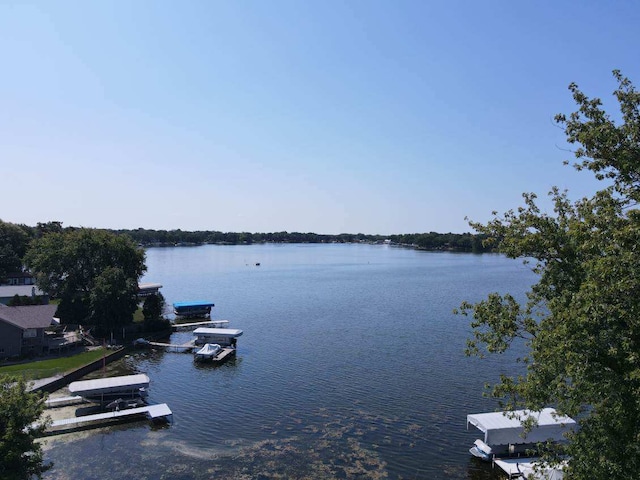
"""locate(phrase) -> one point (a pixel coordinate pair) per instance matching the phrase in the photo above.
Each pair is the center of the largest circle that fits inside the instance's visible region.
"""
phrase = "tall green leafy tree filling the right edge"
(581, 321)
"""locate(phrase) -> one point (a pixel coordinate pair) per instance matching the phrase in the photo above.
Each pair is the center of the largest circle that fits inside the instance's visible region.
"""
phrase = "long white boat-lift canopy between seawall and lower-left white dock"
(106, 390)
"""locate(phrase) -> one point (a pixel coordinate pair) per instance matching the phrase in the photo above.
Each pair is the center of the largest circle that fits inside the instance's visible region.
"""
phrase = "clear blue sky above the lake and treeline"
(311, 116)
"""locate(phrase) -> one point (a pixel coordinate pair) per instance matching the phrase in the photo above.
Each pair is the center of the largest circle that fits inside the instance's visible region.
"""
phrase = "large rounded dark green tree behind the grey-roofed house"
(87, 268)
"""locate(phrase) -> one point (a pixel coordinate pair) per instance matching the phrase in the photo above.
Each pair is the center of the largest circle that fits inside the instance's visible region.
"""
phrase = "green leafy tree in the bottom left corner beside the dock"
(20, 412)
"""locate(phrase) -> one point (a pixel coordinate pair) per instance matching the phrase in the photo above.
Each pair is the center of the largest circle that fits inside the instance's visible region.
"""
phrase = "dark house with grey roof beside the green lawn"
(23, 330)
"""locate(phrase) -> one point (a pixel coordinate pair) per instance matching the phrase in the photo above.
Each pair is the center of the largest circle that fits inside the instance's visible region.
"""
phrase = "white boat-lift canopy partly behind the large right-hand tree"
(504, 428)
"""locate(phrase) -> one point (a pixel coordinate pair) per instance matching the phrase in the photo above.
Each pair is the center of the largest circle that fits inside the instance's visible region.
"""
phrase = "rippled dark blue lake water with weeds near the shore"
(351, 366)
